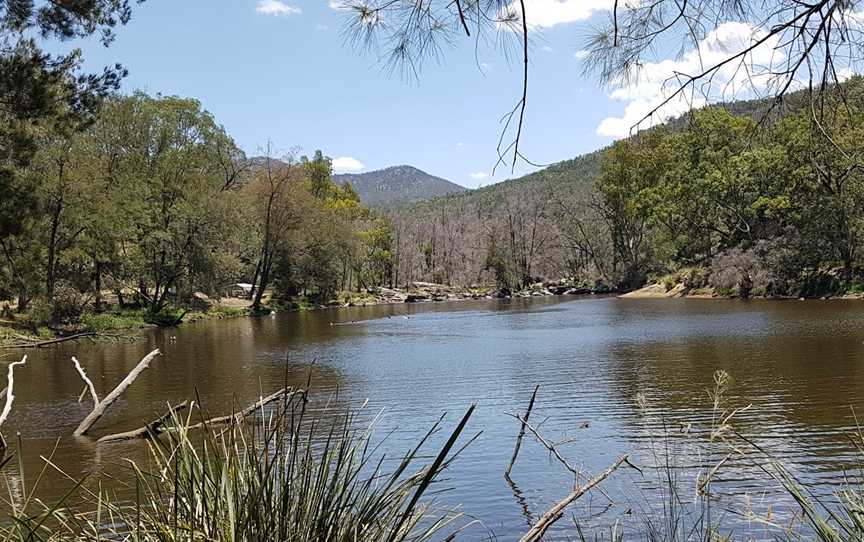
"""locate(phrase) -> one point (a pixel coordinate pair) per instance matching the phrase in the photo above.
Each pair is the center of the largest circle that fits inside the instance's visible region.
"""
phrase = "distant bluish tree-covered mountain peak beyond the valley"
(397, 185)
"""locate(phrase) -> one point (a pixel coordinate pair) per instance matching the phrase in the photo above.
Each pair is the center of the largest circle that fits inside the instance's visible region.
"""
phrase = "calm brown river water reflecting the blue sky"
(800, 365)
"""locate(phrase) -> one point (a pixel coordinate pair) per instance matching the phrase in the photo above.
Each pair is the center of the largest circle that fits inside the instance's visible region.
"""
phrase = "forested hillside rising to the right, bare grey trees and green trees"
(746, 198)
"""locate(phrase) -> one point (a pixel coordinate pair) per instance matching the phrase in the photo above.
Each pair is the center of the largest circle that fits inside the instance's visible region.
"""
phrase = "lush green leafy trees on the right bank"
(770, 212)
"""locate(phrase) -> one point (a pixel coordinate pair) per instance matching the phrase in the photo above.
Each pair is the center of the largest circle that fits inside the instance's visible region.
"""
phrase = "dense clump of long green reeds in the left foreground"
(282, 477)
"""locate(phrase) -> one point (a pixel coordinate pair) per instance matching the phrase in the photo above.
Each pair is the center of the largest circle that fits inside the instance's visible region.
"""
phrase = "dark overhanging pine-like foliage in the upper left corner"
(43, 92)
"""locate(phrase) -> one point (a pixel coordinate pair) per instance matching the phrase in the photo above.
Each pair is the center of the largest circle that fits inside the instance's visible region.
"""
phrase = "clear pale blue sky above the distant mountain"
(280, 71)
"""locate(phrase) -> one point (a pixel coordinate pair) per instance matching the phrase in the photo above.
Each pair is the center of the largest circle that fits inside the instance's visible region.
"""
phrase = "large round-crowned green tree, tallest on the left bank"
(183, 220)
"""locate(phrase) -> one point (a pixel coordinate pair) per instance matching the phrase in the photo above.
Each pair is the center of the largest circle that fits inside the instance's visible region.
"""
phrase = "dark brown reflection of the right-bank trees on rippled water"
(802, 384)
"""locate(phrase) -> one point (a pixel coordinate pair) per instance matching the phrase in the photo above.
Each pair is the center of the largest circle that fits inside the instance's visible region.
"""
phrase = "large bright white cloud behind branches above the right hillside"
(656, 81)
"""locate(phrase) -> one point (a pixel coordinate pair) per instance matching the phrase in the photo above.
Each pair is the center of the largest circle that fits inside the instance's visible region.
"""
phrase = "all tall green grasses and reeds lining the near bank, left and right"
(287, 476)
